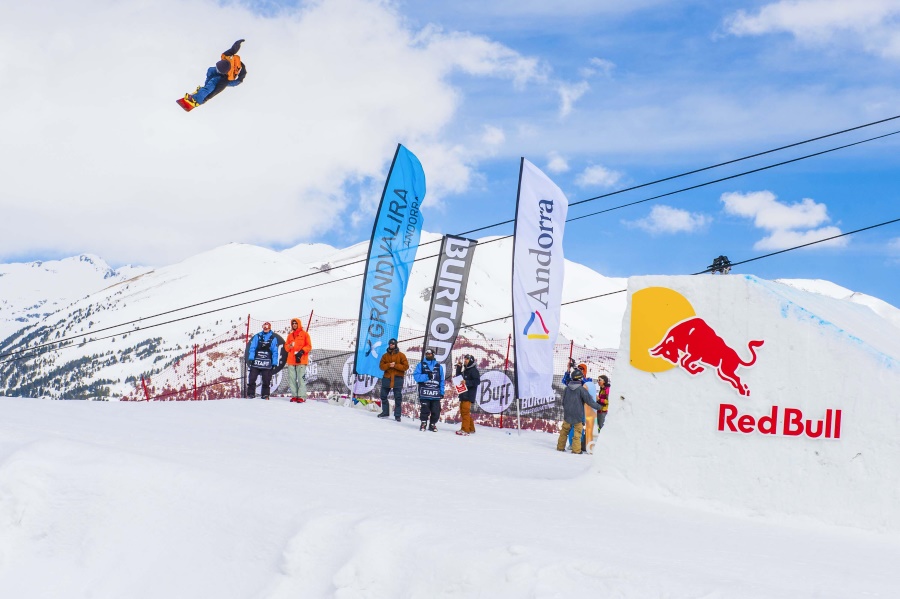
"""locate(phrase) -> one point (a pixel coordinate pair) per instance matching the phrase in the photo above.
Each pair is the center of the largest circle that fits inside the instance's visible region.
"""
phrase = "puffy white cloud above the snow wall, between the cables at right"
(789, 225)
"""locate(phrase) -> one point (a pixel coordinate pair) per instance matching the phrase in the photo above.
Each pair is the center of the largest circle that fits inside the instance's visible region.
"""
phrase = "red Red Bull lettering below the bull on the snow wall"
(793, 424)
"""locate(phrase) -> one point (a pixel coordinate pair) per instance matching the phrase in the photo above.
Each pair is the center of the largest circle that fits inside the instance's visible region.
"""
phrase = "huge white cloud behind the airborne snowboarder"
(98, 153)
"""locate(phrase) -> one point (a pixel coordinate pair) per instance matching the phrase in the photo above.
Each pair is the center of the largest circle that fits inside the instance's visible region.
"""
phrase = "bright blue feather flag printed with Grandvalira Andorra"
(395, 239)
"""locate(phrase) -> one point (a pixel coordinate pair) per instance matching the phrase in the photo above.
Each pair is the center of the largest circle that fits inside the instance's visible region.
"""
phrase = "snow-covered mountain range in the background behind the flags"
(85, 302)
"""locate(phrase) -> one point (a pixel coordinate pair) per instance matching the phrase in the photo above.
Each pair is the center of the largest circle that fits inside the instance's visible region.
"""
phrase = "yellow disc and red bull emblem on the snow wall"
(666, 332)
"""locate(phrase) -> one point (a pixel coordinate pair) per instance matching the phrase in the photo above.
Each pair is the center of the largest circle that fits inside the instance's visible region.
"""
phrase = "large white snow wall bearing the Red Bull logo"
(811, 428)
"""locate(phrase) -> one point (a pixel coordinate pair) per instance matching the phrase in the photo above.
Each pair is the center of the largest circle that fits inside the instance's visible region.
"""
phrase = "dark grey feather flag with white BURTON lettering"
(448, 296)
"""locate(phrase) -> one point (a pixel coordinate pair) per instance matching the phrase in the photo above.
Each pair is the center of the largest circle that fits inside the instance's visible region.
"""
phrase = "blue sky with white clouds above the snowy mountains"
(599, 95)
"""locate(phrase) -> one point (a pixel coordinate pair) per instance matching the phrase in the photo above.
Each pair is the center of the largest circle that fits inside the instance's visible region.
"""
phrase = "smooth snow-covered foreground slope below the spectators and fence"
(250, 499)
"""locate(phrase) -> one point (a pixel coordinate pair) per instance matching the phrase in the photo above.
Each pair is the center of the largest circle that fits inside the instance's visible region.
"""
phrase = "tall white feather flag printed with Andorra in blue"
(538, 270)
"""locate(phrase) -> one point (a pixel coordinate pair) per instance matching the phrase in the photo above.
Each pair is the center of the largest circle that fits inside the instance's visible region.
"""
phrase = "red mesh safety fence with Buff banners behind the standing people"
(217, 369)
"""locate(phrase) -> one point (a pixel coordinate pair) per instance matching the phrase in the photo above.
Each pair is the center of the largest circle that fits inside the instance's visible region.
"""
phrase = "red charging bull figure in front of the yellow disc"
(693, 342)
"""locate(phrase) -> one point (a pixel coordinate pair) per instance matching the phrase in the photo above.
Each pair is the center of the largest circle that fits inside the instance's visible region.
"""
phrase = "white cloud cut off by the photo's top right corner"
(869, 23)
